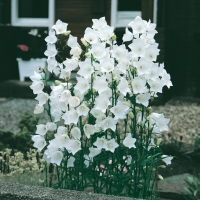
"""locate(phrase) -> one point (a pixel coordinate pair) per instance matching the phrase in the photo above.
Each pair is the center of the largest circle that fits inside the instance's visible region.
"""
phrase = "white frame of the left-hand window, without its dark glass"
(32, 22)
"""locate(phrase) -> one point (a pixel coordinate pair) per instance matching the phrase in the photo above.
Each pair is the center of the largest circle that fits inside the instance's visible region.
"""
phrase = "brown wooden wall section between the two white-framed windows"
(79, 13)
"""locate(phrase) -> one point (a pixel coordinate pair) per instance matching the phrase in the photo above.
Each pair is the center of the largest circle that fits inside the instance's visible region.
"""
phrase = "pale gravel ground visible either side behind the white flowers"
(183, 112)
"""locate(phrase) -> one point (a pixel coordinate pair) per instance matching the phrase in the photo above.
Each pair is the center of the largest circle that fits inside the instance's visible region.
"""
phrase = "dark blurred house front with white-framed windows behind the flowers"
(177, 25)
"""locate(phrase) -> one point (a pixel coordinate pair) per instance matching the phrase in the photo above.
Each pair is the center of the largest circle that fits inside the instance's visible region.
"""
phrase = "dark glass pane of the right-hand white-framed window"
(129, 5)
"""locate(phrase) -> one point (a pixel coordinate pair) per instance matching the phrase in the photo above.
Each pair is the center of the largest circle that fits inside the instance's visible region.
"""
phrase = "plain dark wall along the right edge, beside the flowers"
(182, 50)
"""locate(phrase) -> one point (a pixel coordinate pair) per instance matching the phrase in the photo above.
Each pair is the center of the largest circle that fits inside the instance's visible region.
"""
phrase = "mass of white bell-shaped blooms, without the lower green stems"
(113, 76)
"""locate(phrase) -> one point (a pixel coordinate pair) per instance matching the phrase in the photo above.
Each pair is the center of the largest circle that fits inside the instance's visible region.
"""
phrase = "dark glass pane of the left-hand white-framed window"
(33, 8)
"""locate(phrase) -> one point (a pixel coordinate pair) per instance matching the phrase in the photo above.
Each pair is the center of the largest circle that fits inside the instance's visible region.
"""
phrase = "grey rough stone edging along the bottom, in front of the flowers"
(11, 191)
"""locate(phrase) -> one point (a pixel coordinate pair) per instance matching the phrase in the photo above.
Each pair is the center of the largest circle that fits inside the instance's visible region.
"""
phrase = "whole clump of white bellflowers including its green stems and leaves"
(115, 85)
